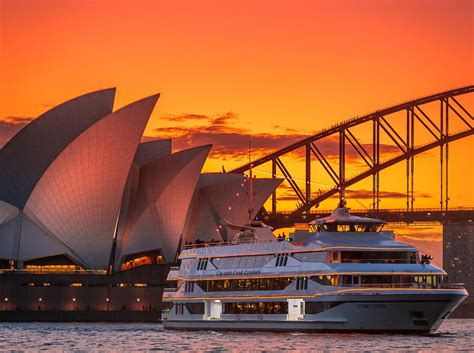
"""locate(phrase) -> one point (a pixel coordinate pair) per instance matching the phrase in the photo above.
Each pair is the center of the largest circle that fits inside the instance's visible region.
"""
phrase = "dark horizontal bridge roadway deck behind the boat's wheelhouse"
(417, 216)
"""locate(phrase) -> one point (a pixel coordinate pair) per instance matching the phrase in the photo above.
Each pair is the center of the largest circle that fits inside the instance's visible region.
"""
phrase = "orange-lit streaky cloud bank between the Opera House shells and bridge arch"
(230, 140)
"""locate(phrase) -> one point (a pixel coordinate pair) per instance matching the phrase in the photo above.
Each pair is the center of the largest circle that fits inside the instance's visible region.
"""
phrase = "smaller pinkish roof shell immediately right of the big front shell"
(159, 211)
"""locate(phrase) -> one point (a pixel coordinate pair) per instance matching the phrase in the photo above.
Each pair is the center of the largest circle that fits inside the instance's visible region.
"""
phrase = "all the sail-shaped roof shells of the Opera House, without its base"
(78, 183)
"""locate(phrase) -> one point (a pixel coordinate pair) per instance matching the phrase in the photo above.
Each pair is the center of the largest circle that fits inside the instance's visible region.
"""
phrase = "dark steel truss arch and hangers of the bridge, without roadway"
(449, 109)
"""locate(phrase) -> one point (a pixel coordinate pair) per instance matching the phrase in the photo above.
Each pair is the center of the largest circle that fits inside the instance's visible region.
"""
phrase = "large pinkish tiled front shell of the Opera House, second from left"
(78, 197)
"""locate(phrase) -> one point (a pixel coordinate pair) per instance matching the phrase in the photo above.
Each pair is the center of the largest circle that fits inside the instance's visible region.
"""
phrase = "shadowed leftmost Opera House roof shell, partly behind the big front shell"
(26, 157)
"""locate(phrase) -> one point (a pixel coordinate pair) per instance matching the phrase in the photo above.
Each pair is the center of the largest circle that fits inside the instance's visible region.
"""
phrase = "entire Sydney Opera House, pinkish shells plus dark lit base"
(91, 218)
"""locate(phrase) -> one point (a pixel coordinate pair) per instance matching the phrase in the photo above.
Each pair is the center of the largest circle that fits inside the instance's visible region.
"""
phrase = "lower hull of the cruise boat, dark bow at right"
(417, 313)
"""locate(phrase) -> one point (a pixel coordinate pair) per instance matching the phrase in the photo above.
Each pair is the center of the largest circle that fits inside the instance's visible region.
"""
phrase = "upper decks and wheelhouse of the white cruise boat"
(340, 243)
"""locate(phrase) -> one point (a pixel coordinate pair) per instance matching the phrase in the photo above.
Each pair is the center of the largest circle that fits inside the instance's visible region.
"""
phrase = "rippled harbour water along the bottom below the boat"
(454, 335)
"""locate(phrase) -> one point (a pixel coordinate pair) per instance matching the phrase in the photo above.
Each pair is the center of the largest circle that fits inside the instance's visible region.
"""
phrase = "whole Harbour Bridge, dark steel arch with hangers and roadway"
(412, 128)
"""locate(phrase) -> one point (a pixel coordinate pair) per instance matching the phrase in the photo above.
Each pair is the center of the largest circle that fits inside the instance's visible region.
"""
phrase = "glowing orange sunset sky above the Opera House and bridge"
(229, 71)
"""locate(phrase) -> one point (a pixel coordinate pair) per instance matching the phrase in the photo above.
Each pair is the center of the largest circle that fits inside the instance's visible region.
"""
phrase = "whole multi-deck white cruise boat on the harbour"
(343, 274)
